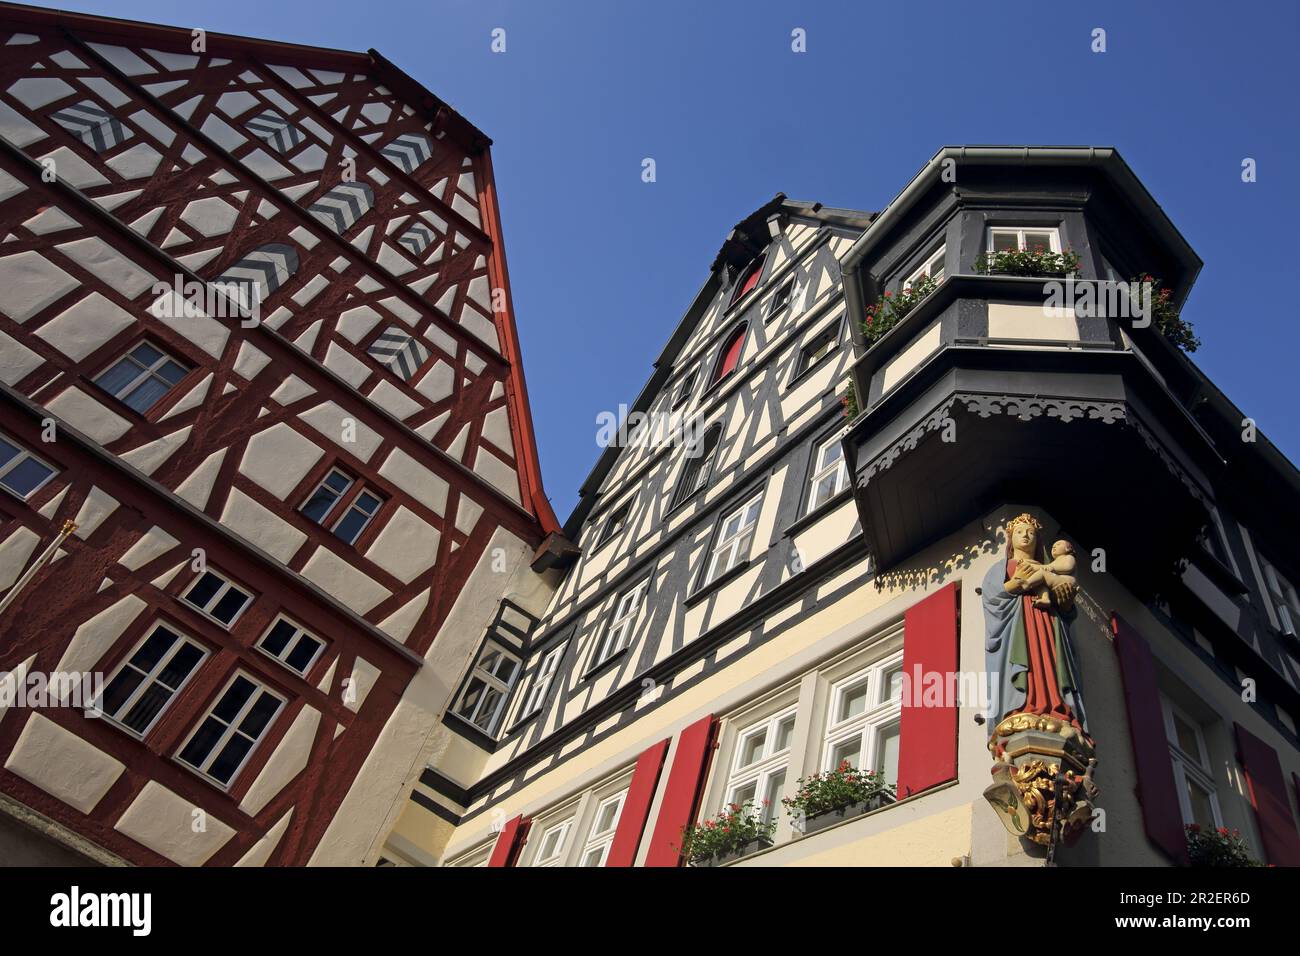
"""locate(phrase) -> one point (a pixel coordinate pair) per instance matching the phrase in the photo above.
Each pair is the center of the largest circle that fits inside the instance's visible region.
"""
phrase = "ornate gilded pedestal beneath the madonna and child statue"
(1042, 778)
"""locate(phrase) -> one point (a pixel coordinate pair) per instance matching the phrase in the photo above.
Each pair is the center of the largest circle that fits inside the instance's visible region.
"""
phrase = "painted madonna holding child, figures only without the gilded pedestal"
(1032, 668)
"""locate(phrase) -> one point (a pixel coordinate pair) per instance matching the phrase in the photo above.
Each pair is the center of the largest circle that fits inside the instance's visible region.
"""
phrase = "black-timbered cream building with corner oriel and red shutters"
(796, 566)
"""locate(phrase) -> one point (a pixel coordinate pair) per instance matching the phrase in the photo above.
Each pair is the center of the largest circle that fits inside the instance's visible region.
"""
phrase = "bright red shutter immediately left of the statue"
(928, 736)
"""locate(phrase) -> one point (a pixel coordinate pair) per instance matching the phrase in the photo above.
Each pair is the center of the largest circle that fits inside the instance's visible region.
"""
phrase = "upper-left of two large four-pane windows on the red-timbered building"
(148, 682)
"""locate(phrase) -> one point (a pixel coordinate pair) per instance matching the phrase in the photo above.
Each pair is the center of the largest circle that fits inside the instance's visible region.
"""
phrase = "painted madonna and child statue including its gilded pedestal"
(1043, 755)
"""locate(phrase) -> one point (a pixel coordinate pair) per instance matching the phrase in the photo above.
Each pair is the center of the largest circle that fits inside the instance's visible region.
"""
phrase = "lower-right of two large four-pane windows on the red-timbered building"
(232, 729)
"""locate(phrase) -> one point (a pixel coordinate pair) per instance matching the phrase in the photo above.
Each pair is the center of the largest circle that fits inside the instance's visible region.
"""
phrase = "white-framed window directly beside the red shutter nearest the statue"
(863, 726)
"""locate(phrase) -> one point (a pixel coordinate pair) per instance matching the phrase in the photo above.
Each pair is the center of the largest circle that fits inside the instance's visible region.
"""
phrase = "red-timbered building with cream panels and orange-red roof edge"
(257, 344)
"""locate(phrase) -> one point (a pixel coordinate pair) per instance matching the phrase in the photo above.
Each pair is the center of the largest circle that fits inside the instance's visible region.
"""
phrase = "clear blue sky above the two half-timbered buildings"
(603, 265)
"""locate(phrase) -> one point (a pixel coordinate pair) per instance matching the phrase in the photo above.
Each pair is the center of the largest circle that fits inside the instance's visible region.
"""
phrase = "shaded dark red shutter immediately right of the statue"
(1158, 793)
